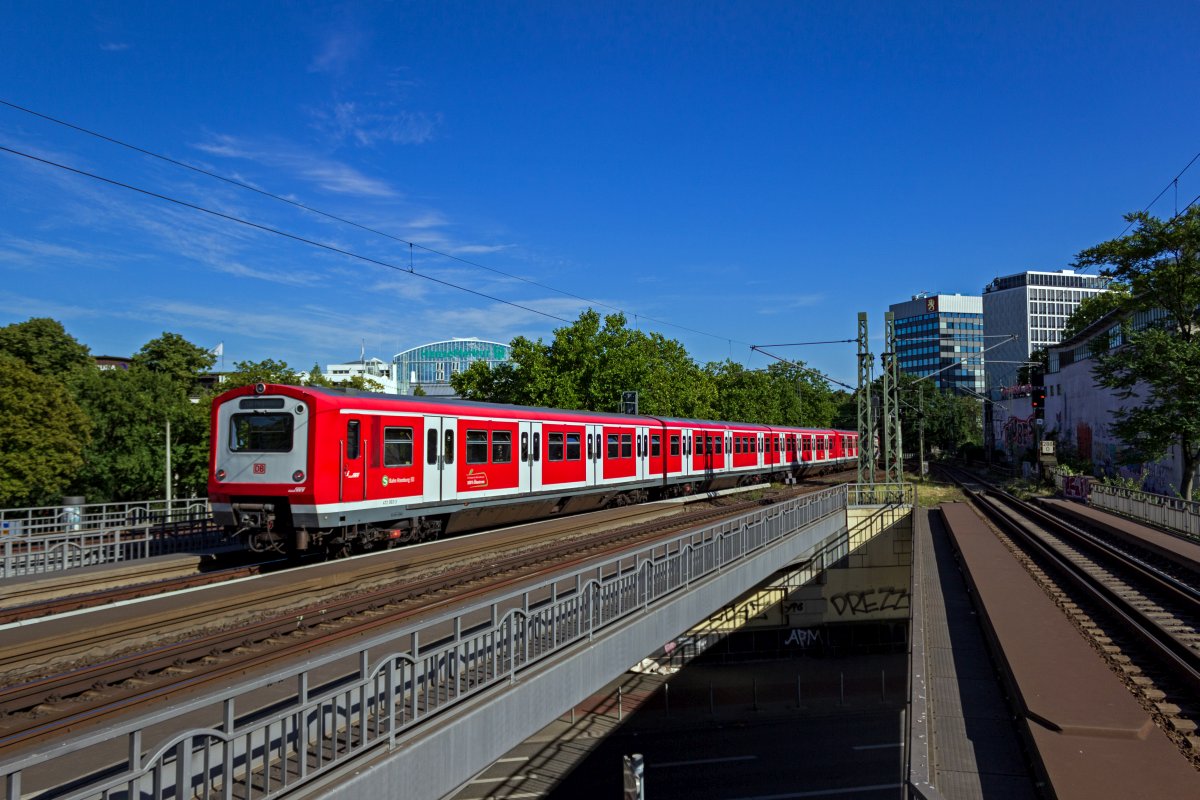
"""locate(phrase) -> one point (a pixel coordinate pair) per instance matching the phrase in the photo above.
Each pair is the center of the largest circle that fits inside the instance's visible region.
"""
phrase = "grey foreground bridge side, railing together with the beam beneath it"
(295, 729)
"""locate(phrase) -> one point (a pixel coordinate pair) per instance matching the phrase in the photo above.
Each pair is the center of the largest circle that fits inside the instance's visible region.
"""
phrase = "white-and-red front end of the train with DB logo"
(260, 465)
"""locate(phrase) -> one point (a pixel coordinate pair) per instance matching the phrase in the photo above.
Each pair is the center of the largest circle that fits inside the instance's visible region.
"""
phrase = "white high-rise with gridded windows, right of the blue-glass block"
(1033, 309)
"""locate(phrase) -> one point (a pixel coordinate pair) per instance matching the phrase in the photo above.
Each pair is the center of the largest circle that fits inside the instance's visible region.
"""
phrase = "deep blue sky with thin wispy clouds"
(753, 172)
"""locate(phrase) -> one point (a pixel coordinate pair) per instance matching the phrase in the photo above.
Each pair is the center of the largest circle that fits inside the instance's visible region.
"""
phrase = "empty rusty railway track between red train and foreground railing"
(77, 677)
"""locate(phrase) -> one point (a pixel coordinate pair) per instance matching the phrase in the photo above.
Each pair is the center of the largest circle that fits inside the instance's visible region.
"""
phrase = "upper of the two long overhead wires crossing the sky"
(412, 245)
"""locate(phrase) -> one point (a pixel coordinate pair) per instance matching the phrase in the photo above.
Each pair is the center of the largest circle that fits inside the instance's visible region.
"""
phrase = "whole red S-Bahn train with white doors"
(296, 468)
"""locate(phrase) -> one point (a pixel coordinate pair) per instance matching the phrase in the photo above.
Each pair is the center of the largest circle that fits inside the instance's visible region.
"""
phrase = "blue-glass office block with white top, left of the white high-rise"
(940, 336)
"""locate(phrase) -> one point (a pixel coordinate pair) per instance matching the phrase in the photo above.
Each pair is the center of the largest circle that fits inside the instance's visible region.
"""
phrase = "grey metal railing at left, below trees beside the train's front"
(51, 539)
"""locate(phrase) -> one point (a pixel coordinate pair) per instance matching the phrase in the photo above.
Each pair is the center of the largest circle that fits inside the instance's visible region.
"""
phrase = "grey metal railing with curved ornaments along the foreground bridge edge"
(401, 679)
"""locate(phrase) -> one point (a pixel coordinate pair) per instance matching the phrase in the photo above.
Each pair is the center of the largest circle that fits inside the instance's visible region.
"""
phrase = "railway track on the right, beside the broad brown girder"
(1143, 618)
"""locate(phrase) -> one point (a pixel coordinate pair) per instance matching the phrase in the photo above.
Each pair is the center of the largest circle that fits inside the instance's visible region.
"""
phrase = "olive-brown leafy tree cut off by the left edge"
(43, 436)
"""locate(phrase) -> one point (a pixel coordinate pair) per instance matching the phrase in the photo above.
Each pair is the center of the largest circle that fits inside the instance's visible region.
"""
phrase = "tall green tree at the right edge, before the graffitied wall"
(1159, 368)
